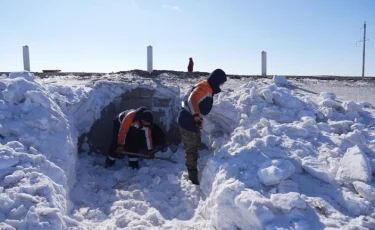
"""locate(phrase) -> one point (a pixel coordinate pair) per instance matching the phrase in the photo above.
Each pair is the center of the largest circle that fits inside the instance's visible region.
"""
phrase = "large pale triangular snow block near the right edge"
(354, 166)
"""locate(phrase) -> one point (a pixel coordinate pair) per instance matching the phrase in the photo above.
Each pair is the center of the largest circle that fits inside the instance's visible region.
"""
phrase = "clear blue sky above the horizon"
(305, 37)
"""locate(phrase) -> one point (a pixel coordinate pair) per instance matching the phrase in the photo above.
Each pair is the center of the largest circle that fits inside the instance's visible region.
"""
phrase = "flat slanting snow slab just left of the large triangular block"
(317, 169)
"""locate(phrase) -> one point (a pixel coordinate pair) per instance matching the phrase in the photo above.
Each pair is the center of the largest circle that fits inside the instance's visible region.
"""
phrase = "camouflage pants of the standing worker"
(191, 142)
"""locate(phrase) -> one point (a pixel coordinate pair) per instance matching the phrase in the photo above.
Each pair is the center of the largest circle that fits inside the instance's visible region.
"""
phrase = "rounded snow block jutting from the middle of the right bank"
(272, 172)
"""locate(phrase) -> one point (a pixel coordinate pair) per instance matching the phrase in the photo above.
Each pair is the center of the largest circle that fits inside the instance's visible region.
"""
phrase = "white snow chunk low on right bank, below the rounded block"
(287, 201)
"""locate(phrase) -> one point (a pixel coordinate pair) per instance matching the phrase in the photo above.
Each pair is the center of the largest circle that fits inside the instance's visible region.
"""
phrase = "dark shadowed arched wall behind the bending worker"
(164, 105)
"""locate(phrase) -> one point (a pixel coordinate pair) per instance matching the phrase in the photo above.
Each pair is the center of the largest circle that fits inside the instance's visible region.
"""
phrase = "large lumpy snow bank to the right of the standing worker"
(292, 160)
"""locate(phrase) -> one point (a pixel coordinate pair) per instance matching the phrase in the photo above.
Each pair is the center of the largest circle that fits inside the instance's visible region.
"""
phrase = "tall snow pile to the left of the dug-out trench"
(37, 156)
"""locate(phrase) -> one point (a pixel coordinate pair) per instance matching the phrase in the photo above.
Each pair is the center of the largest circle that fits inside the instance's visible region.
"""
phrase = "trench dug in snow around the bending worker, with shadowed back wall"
(121, 197)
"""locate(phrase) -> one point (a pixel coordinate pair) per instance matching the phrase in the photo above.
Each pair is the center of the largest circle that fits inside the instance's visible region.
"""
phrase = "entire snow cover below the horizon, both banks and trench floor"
(281, 156)
